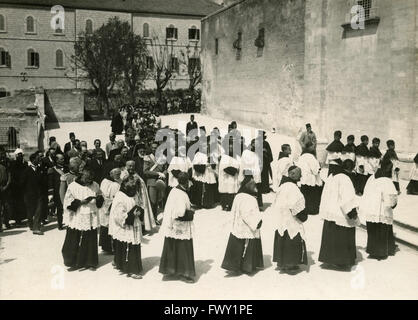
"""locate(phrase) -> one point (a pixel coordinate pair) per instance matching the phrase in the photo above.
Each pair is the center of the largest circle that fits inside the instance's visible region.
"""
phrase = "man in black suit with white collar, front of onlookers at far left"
(32, 189)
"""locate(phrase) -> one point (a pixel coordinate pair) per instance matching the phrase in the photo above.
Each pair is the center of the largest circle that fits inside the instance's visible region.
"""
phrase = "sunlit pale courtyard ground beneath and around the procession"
(31, 267)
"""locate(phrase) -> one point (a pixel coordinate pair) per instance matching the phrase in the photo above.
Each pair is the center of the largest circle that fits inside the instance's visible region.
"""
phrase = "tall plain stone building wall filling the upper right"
(283, 63)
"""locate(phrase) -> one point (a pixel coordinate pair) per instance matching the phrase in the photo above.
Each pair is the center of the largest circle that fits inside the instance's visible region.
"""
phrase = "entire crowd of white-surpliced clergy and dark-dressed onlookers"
(111, 197)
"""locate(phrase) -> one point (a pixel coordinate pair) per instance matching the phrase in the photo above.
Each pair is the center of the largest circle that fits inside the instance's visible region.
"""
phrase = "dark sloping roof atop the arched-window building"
(177, 7)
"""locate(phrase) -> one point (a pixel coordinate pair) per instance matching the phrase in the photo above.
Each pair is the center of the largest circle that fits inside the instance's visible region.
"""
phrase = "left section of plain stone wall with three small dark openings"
(262, 90)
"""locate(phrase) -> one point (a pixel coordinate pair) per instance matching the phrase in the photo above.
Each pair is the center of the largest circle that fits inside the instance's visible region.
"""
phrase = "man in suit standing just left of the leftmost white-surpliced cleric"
(54, 182)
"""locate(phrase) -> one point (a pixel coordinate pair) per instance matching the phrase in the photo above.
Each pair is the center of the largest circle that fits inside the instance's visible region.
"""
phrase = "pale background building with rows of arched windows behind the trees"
(37, 37)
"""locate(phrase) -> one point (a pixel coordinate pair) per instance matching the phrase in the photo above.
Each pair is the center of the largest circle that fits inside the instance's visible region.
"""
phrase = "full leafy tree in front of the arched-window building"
(110, 56)
